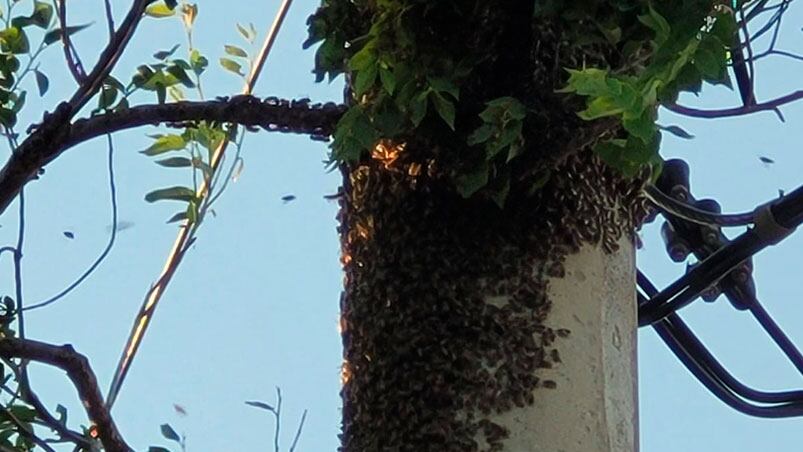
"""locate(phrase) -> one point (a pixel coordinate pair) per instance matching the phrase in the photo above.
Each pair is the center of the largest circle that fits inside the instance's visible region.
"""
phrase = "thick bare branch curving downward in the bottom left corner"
(80, 373)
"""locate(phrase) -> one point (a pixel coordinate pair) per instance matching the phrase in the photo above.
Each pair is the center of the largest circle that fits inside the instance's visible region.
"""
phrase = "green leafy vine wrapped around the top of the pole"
(633, 56)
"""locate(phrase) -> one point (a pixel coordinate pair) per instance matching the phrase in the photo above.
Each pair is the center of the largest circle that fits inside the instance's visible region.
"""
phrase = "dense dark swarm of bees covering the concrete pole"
(430, 352)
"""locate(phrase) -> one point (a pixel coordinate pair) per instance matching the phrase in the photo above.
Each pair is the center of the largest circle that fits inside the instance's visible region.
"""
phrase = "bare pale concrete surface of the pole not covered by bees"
(593, 406)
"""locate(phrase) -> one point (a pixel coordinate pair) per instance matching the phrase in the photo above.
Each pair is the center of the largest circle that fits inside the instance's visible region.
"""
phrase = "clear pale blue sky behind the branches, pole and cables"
(255, 303)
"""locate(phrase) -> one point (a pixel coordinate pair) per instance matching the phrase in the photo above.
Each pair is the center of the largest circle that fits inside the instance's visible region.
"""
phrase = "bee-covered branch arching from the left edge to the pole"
(56, 134)
